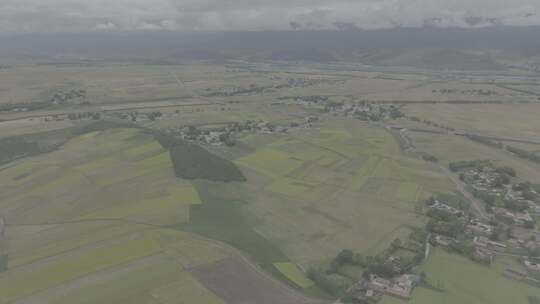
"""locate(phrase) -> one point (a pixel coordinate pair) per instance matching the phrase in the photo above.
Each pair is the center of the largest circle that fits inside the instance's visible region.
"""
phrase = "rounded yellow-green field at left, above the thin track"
(97, 176)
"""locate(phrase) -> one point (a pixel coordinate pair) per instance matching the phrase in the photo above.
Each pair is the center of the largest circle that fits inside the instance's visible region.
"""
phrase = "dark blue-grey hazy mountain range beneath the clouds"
(426, 47)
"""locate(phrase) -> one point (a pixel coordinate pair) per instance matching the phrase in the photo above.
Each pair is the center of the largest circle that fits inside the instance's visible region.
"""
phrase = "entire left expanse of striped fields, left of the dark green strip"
(93, 226)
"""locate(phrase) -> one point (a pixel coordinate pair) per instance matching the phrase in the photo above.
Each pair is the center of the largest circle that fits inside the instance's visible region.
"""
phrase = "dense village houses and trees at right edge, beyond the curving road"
(509, 231)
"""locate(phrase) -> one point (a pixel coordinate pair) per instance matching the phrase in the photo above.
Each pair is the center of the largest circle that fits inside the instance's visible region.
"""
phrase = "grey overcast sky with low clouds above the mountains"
(233, 15)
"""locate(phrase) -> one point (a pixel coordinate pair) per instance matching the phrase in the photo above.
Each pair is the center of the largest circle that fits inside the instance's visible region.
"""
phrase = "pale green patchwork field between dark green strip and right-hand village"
(329, 188)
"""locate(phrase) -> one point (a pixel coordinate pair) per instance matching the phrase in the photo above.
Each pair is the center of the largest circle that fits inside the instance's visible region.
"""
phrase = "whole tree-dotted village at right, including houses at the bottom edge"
(510, 231)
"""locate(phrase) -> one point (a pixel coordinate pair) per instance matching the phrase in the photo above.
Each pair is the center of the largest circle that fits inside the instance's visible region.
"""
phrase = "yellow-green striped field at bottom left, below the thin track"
(134, 267)
